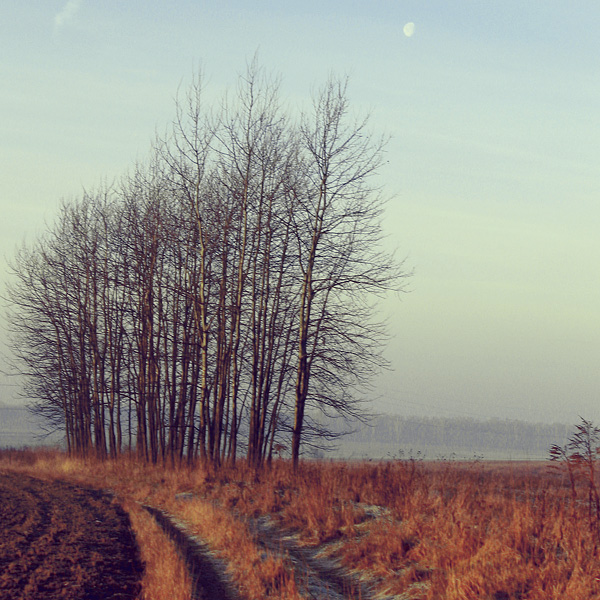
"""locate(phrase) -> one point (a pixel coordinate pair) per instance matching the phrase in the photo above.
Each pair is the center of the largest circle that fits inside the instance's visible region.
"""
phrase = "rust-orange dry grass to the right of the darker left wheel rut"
(432, 531)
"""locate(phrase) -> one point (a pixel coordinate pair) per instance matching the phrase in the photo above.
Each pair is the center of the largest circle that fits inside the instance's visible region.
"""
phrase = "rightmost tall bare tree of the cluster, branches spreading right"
(336, 219)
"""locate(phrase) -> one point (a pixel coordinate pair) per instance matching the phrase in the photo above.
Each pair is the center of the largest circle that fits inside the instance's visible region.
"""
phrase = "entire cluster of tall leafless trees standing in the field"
(206, 304)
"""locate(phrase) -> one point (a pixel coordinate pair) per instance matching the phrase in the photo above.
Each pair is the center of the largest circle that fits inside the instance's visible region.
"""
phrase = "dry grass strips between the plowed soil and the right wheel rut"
(256, 573)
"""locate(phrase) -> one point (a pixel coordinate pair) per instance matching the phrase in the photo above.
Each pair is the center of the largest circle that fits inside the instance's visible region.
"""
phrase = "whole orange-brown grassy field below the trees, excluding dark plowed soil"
(402, 529)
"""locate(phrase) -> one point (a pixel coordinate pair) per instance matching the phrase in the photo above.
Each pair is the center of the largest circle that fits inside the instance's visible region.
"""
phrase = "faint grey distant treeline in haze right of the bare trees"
(397, 436)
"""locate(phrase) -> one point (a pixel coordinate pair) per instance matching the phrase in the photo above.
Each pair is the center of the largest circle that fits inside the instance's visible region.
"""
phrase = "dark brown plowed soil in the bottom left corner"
(61, 541)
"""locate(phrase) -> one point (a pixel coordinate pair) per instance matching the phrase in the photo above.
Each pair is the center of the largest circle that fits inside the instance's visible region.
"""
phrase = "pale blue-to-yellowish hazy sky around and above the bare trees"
(493, 172)
